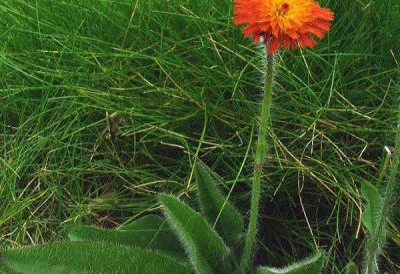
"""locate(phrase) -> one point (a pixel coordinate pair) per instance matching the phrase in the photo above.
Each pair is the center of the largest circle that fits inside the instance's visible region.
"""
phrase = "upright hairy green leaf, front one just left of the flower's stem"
(206, 249)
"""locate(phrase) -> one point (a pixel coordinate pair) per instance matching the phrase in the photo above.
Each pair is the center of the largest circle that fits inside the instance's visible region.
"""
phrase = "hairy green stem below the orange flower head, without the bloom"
(259, 163)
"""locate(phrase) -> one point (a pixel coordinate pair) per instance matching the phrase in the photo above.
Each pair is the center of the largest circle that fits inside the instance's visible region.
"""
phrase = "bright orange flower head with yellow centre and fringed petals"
(283, 23)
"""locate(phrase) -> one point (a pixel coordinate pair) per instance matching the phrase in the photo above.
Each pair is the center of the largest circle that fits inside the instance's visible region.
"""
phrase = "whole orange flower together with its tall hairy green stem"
(286, 24)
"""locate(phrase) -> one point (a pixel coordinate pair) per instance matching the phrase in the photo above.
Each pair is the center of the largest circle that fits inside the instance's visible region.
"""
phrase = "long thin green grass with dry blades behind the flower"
(104, 104)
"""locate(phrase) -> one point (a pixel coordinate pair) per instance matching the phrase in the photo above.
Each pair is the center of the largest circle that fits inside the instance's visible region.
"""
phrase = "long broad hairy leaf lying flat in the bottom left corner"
(90, 258)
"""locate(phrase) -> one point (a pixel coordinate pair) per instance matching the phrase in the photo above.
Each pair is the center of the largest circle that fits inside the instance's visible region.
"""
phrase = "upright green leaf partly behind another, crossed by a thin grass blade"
(214, 205)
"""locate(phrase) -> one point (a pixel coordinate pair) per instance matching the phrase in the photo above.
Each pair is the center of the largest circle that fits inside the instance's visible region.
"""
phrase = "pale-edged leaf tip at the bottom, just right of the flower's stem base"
(312, 265)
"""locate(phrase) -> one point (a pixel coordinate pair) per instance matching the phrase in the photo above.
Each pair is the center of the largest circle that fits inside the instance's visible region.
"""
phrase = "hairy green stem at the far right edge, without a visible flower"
(372, 258)
